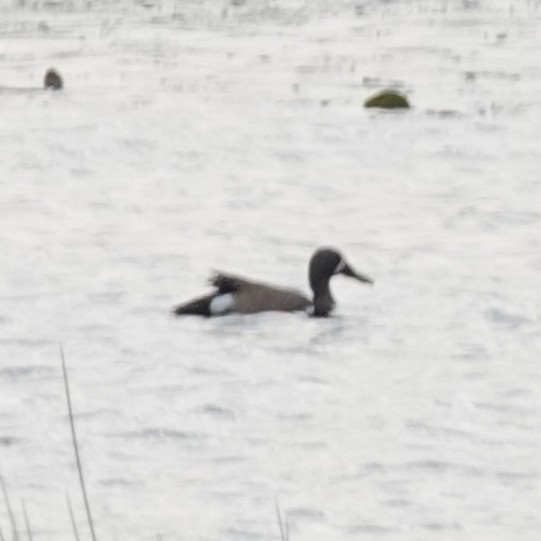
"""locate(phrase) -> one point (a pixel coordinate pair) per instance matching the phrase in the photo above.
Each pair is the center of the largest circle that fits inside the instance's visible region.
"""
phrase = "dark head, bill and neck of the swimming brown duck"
(324, 264)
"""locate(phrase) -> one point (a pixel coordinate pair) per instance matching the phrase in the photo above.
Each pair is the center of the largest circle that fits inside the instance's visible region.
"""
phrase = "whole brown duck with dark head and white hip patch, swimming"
(237, 295)
